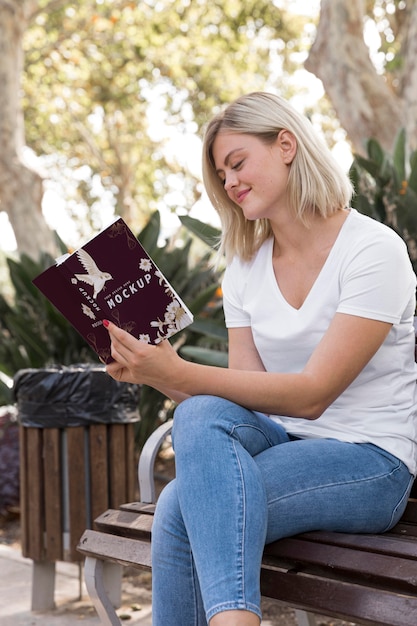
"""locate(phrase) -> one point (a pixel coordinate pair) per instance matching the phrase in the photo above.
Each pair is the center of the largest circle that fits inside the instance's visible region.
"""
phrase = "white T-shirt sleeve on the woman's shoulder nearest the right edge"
(378, 281)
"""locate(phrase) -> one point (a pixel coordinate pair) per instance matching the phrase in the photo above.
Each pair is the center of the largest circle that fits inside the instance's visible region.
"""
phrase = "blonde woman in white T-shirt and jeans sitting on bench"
(313, 425)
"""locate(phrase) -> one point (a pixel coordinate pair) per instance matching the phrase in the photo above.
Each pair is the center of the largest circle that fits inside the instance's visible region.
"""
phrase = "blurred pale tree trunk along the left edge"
(20, 186)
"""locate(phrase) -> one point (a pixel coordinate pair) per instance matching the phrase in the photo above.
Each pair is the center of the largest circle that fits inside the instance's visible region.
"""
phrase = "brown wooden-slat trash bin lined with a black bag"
(77, 459)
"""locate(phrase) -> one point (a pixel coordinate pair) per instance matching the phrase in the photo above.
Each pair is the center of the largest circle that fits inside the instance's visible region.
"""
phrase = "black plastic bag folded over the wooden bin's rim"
(74, 395)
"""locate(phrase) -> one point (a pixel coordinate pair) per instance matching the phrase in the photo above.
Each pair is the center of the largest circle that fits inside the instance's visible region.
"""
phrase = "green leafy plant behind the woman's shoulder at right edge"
(386, 188)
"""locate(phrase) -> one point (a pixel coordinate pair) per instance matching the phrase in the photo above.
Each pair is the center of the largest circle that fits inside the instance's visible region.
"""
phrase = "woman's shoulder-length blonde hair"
(316, 182)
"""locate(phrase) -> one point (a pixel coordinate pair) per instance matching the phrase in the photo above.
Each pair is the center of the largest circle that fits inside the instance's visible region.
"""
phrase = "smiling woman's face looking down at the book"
(255, 174)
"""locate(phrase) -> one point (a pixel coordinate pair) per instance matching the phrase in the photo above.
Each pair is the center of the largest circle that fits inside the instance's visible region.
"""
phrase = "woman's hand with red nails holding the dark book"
(139, 362)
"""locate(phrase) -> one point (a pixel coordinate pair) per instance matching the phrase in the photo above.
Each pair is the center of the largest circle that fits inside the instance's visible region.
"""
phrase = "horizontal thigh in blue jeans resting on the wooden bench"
(325, 484)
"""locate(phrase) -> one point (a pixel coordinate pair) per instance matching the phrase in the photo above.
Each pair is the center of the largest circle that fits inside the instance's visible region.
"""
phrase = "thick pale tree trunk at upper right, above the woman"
(364, 103)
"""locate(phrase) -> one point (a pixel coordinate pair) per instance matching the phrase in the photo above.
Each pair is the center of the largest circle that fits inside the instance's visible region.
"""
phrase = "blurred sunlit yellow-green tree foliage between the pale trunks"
(102, 79)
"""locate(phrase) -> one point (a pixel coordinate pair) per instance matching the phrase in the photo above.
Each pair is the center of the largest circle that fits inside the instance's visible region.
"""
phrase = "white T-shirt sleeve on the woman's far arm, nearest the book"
(233, 287)
